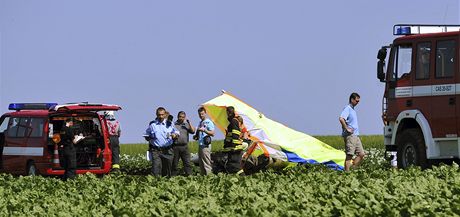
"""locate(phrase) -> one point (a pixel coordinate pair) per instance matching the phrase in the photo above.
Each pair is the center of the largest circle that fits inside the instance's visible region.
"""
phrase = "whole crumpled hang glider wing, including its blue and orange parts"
(273, 139)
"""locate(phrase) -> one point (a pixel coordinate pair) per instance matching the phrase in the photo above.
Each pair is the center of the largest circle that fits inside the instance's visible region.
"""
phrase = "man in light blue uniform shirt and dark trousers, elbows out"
(161, 136)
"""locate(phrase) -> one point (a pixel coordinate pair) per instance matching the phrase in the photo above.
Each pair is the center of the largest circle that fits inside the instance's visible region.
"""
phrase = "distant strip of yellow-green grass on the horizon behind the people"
(370, 141)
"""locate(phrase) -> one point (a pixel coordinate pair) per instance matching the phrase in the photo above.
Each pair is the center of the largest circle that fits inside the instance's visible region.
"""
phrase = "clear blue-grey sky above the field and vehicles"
(295, 61)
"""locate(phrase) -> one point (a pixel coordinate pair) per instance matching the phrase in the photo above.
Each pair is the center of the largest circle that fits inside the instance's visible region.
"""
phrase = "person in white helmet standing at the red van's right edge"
(114, 129)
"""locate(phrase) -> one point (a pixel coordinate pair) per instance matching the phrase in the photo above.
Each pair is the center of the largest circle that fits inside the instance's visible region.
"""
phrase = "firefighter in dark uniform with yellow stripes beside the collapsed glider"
(233, 142)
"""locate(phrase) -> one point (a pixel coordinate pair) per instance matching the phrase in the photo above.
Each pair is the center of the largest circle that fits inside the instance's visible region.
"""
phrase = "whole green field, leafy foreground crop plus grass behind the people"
(375, 189)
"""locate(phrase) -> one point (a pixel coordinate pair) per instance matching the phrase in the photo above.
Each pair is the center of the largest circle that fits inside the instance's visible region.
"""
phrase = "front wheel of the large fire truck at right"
(411, 149)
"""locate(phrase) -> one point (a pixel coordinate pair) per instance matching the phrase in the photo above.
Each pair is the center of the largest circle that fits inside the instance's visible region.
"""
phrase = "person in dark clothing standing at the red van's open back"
(70, 153)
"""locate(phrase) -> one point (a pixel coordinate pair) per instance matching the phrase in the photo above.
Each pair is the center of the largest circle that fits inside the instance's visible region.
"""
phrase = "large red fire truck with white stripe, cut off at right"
(422, 89)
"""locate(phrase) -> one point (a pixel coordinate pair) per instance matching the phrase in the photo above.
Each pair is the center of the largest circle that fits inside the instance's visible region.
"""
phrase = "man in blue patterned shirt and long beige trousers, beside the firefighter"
(204, 132)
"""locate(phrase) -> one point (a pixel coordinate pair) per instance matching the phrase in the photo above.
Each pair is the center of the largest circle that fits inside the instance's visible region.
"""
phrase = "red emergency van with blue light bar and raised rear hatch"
(29, 138)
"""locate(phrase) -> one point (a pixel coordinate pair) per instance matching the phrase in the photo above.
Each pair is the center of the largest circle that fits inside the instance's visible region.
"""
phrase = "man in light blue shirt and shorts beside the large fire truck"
(350, 132)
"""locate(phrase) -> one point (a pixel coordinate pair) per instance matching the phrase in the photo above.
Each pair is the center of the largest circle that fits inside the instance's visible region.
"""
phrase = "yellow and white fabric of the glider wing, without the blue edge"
(272, 133)
